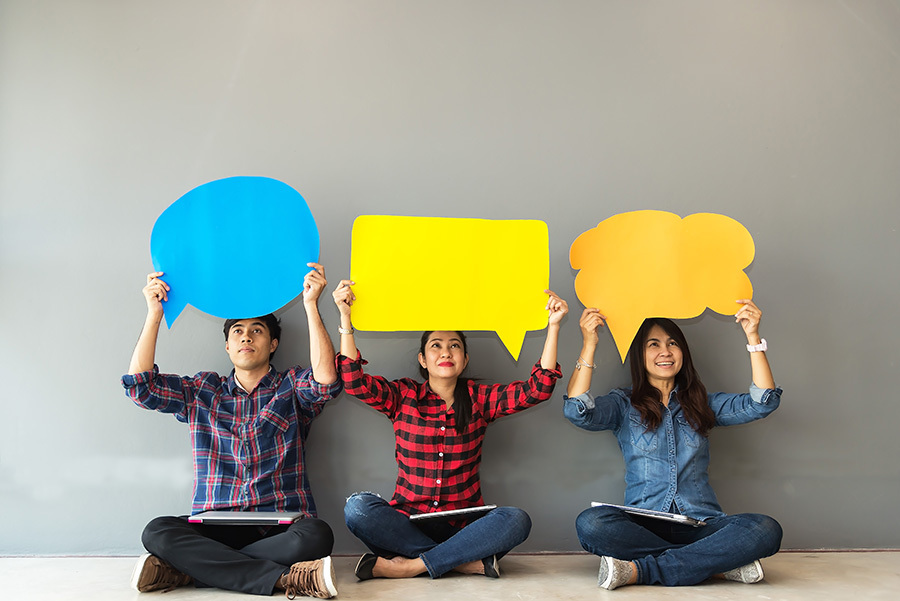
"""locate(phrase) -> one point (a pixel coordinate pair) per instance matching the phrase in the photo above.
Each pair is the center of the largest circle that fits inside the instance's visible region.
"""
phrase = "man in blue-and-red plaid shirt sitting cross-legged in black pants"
(247, 432)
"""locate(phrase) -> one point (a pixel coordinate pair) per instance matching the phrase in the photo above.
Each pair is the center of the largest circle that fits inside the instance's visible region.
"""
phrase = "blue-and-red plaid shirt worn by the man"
(249, 448)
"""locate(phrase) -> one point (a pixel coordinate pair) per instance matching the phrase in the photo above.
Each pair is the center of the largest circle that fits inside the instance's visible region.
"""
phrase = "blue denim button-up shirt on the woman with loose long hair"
(666, 469)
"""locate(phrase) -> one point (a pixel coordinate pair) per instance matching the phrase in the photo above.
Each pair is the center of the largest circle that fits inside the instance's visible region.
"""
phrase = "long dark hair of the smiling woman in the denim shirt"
(691, 391)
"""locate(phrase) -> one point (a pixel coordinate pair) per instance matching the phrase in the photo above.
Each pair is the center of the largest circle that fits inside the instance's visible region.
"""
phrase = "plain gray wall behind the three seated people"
(782, 115)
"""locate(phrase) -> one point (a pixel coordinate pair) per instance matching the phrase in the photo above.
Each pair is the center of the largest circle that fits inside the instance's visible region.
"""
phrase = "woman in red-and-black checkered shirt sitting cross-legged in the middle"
(439, 427)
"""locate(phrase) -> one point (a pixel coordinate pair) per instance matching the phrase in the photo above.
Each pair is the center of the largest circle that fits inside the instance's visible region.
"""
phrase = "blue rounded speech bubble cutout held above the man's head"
(234, 247)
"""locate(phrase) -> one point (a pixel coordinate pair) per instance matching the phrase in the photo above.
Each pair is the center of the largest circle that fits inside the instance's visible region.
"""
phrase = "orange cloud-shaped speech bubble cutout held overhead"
(656, 264)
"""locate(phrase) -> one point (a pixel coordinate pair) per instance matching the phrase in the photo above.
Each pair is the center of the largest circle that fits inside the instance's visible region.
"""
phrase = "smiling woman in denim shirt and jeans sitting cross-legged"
(662, 424)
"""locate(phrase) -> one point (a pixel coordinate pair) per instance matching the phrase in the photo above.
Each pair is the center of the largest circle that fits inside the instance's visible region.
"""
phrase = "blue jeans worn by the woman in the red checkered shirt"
(442, 546)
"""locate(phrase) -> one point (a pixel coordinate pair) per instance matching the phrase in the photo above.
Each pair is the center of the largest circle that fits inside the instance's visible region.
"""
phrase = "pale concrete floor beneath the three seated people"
(789, 576)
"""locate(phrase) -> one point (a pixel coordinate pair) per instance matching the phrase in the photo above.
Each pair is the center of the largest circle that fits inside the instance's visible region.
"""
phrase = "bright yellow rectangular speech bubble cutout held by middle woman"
(433, 273)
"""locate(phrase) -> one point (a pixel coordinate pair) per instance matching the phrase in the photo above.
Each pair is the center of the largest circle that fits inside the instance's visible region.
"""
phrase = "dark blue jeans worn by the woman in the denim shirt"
(674, 554)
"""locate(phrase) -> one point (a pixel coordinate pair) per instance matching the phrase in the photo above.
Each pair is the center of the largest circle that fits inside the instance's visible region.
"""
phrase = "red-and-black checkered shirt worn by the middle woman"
(438, 467)
